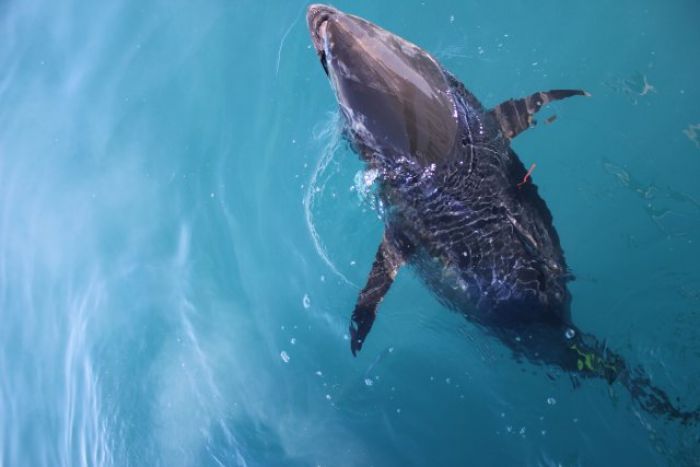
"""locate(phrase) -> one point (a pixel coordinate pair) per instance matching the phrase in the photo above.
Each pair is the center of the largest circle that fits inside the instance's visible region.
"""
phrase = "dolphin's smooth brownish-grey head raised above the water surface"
(396, 98)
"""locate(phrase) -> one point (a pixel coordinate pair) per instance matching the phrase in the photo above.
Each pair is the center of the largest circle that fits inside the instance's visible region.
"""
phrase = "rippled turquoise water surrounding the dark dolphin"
(183, 233)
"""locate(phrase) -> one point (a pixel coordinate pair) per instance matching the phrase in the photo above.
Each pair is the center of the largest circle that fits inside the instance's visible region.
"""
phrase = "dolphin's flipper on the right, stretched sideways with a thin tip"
(515, 115)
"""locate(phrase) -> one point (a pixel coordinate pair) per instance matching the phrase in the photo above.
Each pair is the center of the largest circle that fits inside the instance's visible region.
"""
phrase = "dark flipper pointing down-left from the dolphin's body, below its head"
(386, 264)
